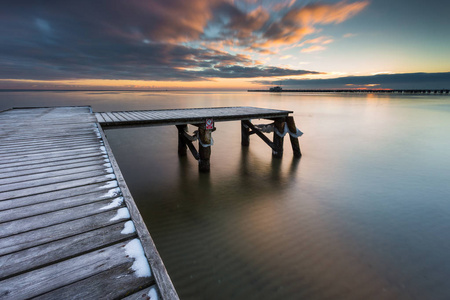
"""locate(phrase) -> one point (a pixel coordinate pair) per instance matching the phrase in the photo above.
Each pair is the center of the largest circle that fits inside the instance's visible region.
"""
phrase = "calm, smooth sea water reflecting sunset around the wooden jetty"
(364, 214)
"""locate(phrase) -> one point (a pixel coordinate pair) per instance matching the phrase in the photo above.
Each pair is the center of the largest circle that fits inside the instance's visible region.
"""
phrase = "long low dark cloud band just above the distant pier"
(386, 81)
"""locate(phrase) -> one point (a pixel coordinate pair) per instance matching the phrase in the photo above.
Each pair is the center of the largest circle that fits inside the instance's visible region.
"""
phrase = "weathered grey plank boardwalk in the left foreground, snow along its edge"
(69, 228)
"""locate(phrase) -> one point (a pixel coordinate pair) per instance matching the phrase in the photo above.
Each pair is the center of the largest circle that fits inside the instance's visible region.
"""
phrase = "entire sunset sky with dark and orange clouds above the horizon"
(224, 44)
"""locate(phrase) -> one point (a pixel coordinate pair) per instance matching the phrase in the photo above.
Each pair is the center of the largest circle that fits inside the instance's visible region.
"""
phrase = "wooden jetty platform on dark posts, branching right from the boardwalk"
(204, 119)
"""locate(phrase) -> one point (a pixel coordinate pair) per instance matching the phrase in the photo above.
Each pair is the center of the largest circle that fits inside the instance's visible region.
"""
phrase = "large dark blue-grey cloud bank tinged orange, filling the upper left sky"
(133, 39)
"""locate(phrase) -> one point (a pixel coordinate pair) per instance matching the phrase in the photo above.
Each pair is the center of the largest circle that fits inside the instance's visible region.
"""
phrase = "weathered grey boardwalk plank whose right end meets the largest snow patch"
(44, 280)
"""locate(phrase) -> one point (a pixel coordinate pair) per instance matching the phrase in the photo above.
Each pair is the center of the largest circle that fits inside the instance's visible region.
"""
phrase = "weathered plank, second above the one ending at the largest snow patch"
(52, 233)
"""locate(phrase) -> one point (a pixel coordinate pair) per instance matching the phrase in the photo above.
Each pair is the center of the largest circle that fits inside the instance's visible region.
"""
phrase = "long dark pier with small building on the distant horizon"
(438, 92)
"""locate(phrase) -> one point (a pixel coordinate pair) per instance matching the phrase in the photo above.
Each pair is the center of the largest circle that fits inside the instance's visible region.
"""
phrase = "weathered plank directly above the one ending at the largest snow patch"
(32, 258)
